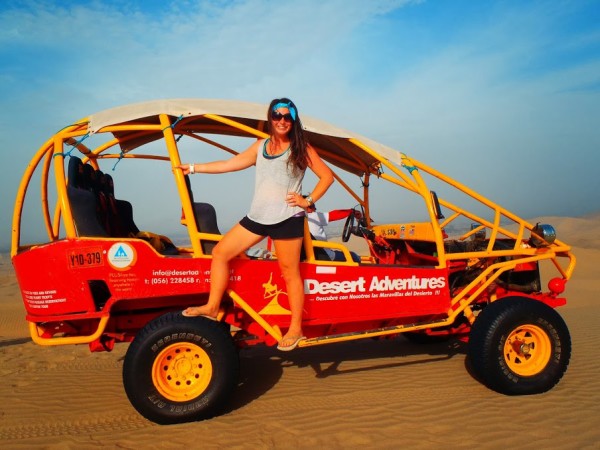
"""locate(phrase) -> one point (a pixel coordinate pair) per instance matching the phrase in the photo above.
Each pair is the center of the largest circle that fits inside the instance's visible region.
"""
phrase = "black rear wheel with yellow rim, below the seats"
(180, 369)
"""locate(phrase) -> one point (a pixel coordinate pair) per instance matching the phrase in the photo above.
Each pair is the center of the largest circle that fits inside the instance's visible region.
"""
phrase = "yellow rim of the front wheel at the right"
(527, 350)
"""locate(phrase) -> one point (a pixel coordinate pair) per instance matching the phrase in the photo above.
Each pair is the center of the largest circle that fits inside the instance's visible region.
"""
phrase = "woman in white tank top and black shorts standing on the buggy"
(277, 209)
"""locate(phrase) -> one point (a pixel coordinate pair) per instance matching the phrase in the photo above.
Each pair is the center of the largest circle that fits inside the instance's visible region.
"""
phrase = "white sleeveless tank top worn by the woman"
(272, 184)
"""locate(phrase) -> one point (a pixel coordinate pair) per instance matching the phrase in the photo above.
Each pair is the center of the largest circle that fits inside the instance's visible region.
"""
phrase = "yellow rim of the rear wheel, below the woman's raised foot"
(182, 372)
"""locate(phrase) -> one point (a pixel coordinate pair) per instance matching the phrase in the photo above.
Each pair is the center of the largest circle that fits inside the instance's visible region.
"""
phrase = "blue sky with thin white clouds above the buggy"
(502, 95)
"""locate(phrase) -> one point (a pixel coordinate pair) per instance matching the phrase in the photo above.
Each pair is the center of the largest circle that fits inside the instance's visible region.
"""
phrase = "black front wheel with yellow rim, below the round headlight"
(519, 346)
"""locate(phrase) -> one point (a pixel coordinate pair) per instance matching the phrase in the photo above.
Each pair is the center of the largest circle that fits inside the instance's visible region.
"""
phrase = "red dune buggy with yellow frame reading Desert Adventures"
(465, 268)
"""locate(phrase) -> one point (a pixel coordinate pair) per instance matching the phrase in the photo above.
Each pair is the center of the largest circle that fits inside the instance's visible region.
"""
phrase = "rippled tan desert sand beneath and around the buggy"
(364, 394)
